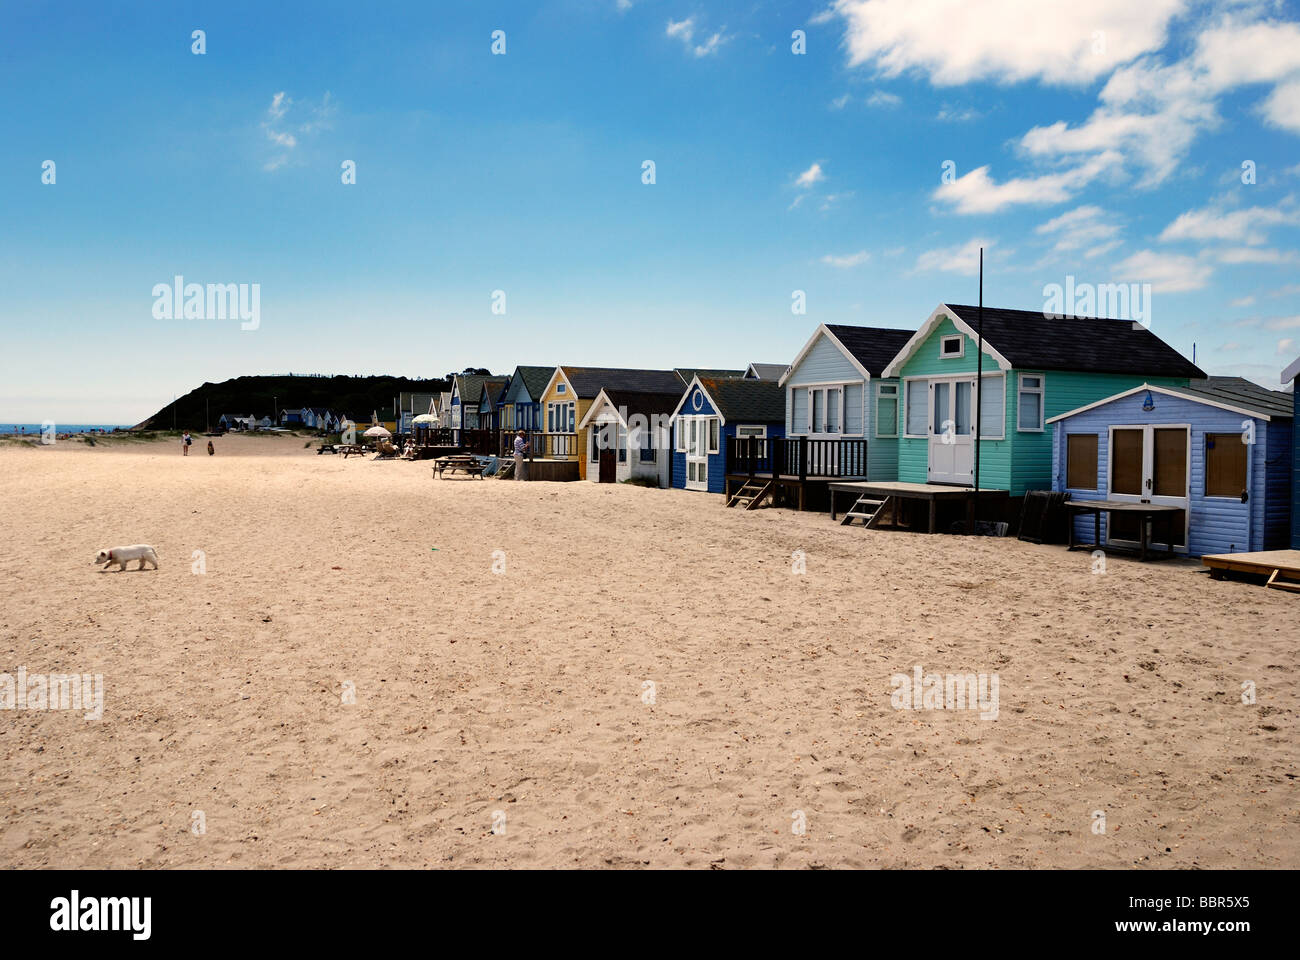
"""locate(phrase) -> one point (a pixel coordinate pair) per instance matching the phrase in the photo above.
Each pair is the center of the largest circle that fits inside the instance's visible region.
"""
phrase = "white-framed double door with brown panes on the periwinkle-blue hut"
(1150, 465)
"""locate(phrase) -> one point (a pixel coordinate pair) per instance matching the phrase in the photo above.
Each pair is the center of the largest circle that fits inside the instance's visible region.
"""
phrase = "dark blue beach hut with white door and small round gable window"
(712, 413)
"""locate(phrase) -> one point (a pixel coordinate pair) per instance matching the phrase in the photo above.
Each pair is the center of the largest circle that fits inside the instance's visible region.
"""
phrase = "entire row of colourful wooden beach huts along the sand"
(1091, 410)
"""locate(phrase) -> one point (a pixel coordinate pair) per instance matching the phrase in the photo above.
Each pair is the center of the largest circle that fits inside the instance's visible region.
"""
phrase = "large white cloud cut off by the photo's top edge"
(1004, 41)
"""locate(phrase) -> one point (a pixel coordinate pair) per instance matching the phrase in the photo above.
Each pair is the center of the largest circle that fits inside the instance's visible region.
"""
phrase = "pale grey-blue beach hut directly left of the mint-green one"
(835, 390)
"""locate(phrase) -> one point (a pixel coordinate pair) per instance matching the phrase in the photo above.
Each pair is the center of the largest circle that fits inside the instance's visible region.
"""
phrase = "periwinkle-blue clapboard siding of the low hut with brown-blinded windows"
(1216, 525)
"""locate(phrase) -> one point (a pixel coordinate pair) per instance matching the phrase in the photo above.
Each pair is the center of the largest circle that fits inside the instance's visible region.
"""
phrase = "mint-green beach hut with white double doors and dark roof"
(1035, 367)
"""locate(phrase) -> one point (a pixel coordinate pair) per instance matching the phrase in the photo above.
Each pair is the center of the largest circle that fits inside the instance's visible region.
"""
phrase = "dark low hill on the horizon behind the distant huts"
(357, 397)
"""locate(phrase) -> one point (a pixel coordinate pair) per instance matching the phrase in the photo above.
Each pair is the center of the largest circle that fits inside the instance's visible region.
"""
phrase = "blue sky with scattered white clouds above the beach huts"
(1100, 141)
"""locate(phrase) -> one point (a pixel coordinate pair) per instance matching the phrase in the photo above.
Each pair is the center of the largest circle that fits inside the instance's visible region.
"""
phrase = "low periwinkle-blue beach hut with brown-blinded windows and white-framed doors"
(1219, 451)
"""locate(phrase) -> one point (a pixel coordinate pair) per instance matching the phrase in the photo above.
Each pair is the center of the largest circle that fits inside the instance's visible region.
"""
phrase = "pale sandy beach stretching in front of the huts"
(510, 689)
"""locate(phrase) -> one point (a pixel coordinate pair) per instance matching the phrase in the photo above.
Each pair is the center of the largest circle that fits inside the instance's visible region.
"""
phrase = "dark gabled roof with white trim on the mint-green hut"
(1029, 340)
